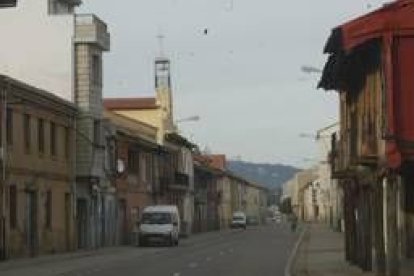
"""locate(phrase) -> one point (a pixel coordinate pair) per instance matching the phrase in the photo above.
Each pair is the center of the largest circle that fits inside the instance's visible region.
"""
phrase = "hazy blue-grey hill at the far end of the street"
(269, 175)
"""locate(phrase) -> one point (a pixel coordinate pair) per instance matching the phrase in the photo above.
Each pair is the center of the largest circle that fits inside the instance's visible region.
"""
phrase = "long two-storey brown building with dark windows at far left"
(38, 171)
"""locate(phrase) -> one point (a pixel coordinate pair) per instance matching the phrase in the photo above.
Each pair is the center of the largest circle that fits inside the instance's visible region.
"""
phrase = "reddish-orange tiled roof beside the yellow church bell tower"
(130, 103)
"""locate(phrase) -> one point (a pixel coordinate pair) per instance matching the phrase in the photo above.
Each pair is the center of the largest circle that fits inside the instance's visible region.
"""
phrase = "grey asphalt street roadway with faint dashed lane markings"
(260, 250)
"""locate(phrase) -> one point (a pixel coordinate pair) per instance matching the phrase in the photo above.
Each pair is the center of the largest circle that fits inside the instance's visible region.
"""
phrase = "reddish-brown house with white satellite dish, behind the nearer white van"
(137, 177)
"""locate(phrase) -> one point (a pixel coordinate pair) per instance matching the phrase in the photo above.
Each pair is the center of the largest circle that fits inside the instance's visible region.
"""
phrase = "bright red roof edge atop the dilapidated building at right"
(396, 18)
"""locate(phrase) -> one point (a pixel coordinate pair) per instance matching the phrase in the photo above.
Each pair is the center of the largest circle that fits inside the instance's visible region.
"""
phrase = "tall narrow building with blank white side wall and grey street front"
(65, 58)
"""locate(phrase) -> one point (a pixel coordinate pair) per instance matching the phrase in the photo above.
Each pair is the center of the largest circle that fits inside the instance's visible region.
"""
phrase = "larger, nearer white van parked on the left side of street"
(159, 223)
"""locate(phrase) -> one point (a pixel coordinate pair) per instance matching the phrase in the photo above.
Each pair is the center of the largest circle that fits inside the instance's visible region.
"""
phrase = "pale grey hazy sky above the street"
(243, 78)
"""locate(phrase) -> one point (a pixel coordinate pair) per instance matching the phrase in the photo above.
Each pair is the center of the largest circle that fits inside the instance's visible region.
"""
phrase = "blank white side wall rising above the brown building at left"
(37, 48)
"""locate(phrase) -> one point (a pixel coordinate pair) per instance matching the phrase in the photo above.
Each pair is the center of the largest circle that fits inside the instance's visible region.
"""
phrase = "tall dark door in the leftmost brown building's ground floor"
(31, 223)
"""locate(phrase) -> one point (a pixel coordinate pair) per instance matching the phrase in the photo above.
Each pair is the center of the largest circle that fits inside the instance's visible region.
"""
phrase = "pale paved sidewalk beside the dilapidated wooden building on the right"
(322, 253)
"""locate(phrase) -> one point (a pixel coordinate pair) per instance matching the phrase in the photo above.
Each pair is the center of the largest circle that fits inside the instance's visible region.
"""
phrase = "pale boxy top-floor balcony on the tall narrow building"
(90, 29)
